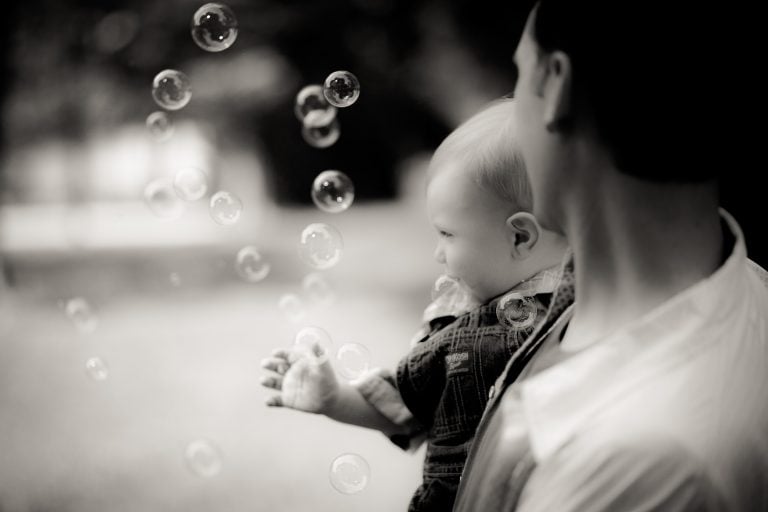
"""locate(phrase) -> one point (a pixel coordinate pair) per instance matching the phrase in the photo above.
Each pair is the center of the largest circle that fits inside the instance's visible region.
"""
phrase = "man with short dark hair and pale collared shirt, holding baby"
(645, 387)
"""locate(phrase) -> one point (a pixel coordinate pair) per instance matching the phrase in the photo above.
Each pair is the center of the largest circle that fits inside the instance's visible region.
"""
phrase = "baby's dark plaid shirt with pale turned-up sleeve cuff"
(442, 385)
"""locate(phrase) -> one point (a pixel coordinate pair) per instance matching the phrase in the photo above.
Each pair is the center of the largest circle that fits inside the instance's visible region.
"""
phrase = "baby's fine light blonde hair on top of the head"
(486, 146)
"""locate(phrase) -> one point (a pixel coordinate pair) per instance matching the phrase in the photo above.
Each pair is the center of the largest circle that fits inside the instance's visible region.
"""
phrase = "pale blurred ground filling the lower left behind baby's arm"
(184, 361)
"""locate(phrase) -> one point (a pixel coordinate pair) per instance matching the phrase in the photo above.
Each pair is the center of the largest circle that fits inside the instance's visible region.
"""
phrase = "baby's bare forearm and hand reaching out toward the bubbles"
(306, 382)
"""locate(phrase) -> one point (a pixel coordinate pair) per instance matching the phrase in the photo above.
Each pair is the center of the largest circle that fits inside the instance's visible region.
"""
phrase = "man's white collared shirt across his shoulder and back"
(669, 413)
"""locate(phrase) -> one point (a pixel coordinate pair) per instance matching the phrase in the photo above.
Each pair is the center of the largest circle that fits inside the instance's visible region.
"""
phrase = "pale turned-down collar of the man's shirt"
(558, 400)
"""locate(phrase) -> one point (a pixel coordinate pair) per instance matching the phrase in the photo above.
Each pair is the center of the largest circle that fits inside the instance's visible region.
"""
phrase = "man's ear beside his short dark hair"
(554, 87)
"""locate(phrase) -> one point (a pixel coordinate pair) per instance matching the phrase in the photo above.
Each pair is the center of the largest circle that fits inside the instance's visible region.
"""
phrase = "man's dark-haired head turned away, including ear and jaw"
(616, 81)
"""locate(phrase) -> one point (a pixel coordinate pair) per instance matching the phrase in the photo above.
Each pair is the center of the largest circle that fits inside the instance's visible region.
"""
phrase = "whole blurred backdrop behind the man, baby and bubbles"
(129, 342)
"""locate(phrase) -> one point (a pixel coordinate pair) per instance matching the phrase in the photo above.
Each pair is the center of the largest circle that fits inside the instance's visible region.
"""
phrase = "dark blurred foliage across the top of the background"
(78, 67)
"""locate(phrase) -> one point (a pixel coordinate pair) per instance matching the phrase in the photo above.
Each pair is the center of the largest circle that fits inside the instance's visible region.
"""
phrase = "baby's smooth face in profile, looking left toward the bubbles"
(473, 242)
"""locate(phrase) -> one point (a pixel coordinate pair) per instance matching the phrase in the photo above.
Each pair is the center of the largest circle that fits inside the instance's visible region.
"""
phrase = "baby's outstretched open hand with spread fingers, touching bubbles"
(303, 376)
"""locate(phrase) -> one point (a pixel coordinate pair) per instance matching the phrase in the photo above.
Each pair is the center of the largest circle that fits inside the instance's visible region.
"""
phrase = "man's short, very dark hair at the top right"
(637, 72)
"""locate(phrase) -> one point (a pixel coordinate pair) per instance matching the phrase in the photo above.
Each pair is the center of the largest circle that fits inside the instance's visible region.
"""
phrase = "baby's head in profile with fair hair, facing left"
(479, 201)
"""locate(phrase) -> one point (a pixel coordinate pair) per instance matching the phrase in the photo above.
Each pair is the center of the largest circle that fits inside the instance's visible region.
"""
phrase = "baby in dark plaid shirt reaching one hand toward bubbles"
(500, 267)
